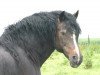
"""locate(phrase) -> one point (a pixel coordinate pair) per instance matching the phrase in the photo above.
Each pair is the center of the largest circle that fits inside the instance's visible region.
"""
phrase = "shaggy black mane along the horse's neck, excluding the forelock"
(42, 25)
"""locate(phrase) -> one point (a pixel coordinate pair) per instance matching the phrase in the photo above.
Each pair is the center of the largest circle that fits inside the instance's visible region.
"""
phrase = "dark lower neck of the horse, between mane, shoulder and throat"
(38, 50)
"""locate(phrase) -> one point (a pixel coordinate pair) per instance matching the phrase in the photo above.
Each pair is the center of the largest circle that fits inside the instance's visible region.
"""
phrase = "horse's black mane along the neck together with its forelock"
(41, 24)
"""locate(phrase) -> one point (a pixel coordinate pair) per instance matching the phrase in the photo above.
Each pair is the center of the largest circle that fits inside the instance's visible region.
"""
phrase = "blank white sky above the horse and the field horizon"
(12, 11)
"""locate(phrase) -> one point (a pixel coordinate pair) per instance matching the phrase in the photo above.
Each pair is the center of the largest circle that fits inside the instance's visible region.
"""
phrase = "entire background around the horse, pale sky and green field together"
(12, 11)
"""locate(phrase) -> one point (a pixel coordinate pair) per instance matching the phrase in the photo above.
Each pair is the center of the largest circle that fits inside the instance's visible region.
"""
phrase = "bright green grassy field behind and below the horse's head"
(57, 64)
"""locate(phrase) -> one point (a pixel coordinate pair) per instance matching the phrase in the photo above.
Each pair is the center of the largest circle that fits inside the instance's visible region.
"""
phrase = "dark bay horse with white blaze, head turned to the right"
(26, 45)
